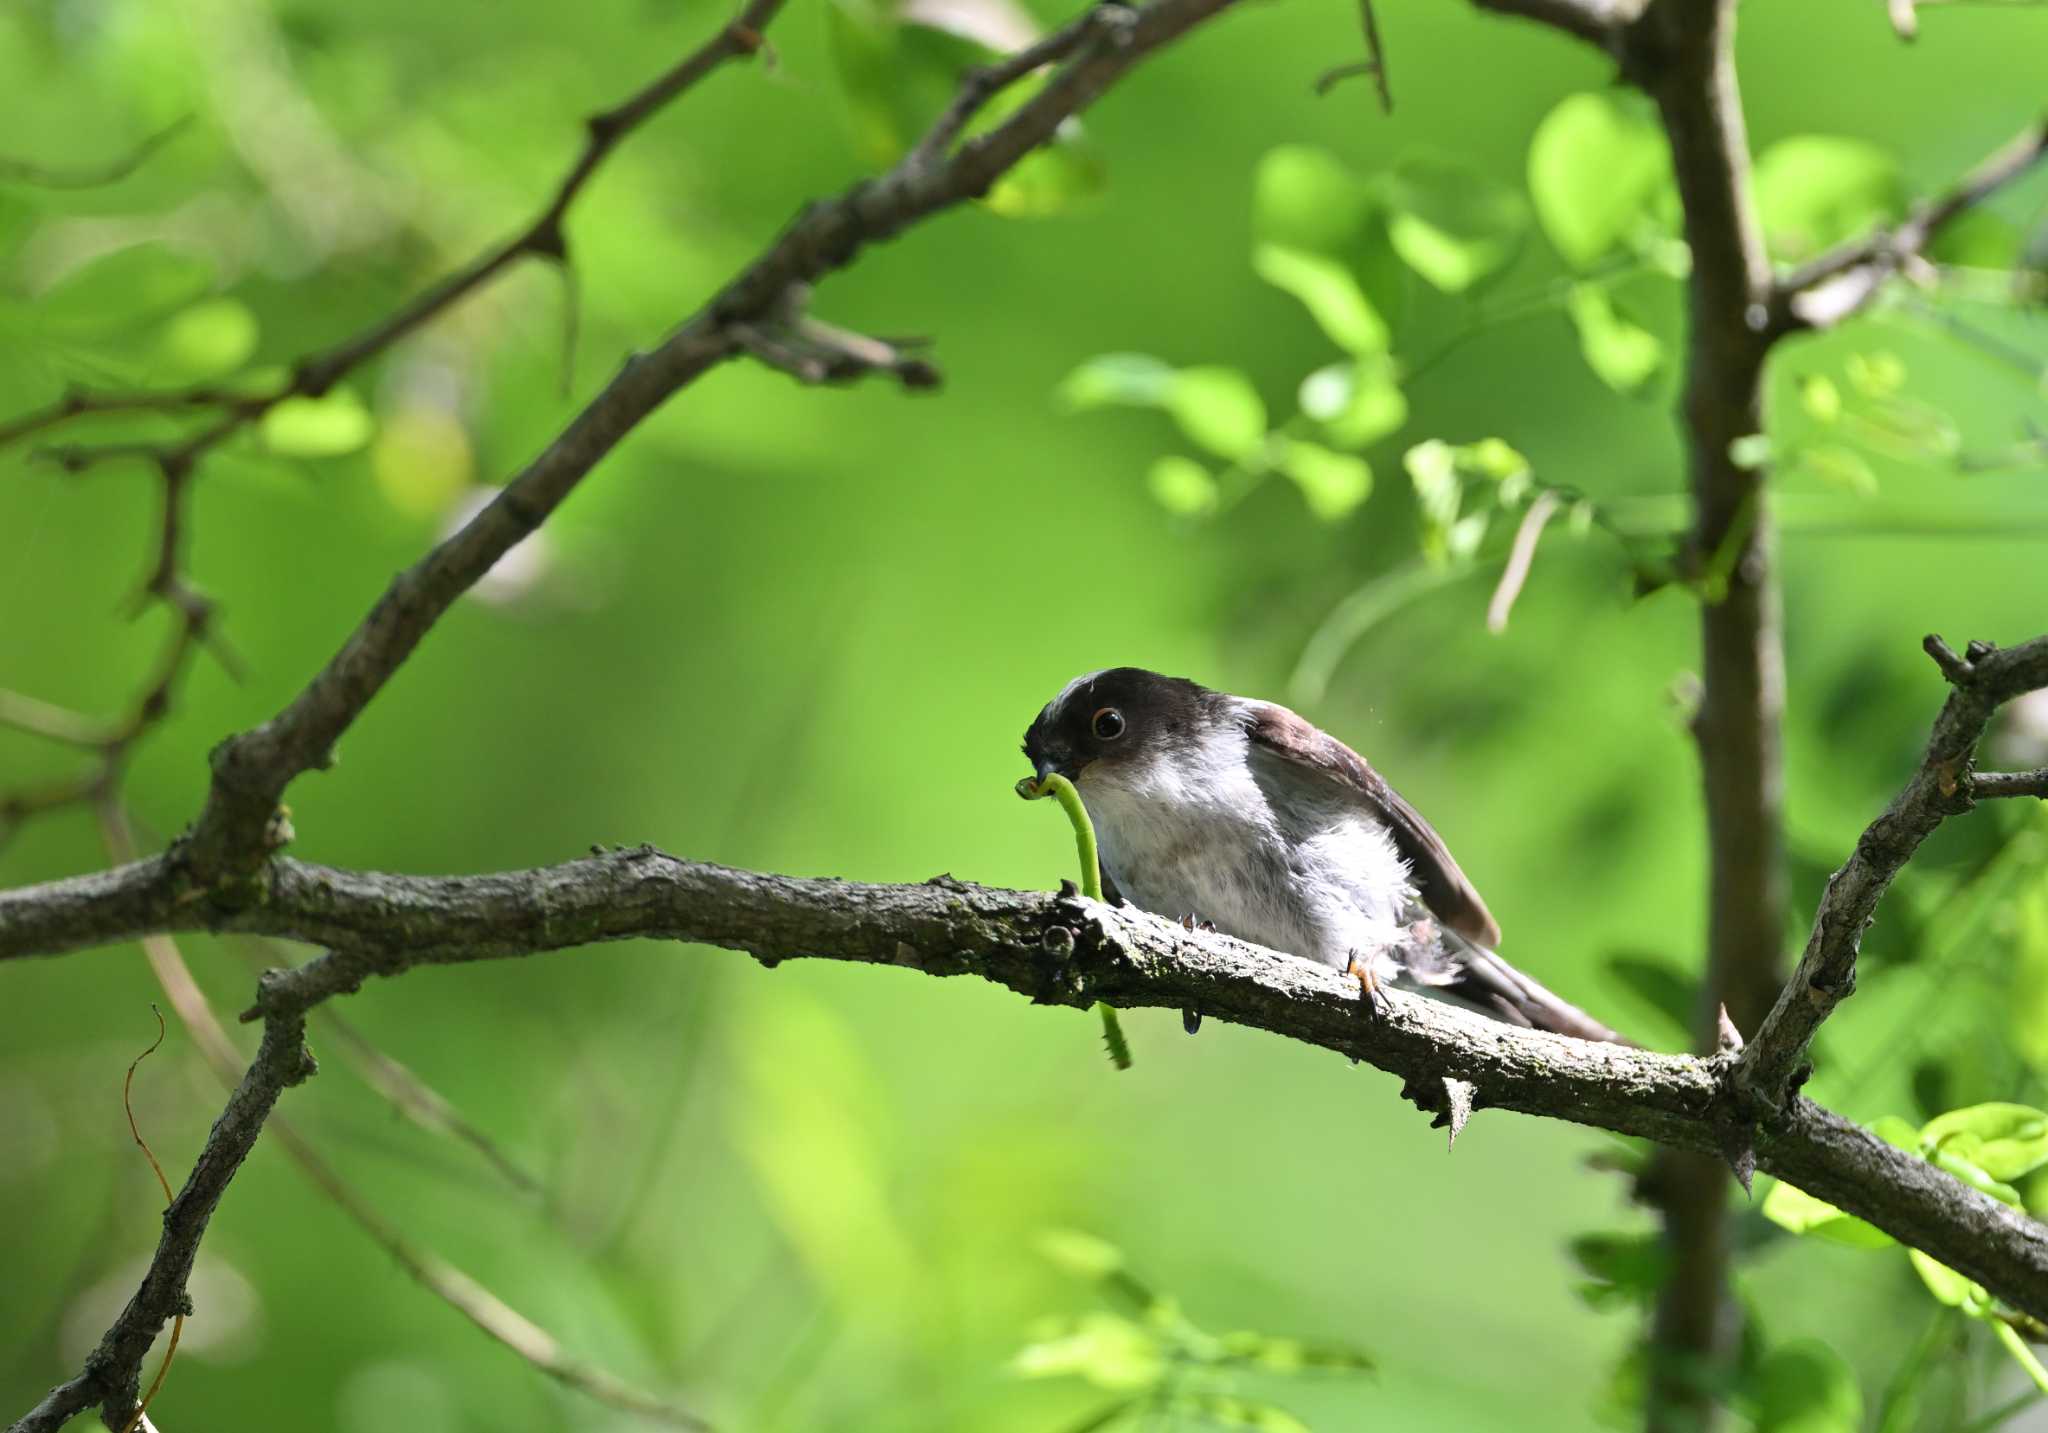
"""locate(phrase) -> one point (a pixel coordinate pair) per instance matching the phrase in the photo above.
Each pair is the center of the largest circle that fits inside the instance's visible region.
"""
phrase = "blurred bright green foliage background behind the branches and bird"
(800, 629)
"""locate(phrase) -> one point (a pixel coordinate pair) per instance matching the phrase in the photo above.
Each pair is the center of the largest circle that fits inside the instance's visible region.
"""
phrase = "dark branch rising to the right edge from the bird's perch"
(1943, 787)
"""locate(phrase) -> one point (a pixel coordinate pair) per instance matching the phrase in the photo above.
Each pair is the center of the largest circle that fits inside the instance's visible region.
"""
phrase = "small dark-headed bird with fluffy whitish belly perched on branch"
(1244, 816)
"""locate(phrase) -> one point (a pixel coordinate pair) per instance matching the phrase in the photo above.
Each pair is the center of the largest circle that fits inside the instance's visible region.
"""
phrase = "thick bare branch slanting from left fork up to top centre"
(253, 771)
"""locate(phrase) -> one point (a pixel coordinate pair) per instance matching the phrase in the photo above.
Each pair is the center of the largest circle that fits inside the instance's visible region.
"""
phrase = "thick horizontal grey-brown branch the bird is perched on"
(384, 926)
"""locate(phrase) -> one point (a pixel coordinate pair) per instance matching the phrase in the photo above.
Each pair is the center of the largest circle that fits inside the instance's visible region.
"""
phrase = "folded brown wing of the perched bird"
(1312, 761)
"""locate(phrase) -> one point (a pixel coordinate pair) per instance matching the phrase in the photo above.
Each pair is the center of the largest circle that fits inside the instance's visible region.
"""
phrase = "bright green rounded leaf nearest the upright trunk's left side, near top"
(1596, 165)
